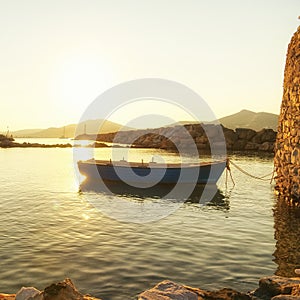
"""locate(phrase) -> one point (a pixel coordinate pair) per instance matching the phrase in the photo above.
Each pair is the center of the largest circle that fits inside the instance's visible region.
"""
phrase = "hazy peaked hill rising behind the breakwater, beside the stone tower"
(250, 119)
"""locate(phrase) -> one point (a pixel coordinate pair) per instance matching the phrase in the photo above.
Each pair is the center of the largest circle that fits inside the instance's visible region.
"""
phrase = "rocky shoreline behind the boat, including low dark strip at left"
(174, 139)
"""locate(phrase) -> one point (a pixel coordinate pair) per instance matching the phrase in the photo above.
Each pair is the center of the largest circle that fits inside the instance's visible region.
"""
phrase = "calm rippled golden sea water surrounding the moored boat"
(49, 231)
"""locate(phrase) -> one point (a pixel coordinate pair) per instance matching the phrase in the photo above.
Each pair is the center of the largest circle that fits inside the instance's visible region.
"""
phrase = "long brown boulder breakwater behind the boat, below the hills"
(168, 138)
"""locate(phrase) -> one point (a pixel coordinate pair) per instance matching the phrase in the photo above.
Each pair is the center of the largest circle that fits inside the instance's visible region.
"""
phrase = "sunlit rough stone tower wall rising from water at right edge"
(287, 147)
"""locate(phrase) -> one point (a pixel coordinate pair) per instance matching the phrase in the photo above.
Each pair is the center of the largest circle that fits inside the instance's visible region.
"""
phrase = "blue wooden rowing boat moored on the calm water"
(153, 173)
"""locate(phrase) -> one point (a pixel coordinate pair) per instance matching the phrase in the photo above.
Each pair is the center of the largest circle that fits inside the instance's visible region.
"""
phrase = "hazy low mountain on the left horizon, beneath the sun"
(68, 131)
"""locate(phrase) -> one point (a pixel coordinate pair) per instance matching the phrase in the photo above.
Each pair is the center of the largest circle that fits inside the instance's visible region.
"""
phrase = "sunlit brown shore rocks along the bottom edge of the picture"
(270, 288)
